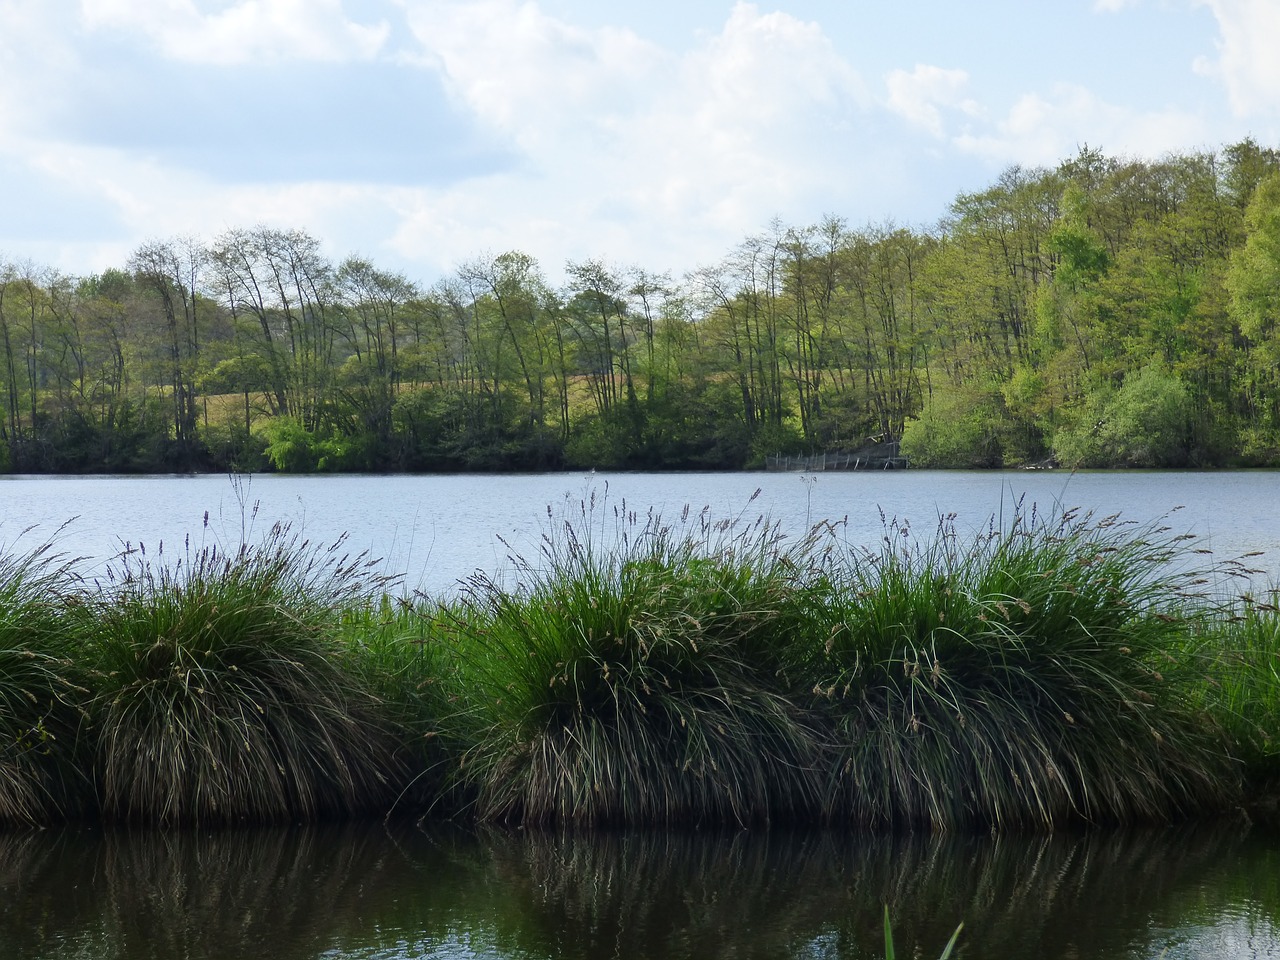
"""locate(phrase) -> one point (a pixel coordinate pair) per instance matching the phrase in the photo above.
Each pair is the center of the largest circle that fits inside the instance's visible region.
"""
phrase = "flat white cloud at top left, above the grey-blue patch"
(243, 31)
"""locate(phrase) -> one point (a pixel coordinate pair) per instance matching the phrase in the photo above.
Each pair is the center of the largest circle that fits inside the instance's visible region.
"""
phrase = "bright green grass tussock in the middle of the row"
(620, 685)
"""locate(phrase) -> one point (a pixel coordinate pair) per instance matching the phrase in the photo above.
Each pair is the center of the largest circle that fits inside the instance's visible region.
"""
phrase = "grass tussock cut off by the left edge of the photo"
(42, 691)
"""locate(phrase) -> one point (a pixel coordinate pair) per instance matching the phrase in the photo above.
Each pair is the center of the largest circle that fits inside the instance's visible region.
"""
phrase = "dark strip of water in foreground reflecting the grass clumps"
(368, 892)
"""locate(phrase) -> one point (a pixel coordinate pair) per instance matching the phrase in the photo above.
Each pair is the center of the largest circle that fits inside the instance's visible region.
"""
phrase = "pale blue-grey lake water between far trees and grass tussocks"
(436, 531)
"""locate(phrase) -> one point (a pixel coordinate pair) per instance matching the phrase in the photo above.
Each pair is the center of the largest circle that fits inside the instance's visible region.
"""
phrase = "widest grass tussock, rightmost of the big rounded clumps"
(1039, 674)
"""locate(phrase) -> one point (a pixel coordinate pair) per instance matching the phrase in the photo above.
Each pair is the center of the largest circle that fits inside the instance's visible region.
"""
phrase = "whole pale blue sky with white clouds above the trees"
(656, 134)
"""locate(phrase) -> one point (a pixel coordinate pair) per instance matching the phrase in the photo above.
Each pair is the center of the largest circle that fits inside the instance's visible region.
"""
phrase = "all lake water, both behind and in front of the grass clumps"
(374, 892)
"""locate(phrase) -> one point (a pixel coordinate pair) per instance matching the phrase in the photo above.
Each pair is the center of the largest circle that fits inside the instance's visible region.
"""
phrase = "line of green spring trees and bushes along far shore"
(1105, 313)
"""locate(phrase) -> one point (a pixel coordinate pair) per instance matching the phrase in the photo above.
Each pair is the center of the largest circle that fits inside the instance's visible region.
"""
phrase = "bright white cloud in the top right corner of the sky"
(1247, 61)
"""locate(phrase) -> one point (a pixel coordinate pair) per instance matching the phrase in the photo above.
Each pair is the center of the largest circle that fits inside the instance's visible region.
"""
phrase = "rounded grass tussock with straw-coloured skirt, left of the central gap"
(223, 693)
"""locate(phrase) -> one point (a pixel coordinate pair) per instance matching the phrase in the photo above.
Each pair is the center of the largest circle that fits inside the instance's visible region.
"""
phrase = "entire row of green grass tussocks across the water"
(1058, 670)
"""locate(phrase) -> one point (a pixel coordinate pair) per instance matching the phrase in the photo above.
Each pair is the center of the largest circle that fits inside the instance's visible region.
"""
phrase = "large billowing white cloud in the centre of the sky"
(629, 149)
